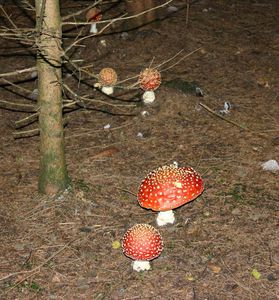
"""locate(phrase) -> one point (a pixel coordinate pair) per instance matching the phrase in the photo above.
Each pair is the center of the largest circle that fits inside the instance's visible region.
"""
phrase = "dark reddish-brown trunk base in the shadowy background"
(134, 7)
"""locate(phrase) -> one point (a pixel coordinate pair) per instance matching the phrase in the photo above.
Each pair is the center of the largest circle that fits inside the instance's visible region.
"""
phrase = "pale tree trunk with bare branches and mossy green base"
(53, 176)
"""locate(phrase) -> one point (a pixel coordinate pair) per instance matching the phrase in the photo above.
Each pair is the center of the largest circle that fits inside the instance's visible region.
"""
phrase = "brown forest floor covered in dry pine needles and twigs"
(224, 244)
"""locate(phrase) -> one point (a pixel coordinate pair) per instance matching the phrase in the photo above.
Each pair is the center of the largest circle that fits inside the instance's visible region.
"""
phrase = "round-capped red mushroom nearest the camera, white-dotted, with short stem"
(142, 243)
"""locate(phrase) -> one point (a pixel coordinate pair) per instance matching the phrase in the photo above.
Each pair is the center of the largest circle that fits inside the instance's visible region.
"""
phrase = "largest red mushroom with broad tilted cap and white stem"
(167, 188)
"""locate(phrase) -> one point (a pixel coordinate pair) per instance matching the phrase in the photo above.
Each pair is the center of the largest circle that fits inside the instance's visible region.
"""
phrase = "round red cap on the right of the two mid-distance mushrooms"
(149, 79)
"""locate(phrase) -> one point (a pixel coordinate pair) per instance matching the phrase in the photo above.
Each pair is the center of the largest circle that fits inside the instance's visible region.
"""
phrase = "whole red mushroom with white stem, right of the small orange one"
(149, 80)
